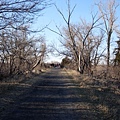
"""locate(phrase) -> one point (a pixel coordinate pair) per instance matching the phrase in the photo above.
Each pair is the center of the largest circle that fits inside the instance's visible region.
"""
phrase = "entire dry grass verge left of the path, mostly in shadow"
(13, 87)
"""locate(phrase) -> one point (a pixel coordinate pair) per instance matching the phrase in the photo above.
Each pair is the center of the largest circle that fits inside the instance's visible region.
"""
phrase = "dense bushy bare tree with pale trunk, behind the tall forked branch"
(87, 44)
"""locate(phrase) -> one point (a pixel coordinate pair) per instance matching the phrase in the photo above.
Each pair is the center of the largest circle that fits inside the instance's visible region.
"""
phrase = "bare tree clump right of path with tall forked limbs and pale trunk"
(78, 39)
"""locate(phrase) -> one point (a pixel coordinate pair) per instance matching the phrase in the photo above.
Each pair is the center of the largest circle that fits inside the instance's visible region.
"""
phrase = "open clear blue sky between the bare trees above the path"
(52, 17)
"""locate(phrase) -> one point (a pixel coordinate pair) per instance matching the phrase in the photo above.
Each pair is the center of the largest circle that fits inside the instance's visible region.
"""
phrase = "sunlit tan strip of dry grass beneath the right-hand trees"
(99, 83)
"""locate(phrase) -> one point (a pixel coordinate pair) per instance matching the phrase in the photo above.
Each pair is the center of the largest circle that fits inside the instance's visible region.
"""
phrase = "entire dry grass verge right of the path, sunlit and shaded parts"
(104, 94)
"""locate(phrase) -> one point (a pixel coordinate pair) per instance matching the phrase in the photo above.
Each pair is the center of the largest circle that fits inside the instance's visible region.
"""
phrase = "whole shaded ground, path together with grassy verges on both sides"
(57, 95)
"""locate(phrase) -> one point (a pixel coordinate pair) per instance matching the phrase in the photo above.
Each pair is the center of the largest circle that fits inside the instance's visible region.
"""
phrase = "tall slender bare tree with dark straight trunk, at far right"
(108, 12)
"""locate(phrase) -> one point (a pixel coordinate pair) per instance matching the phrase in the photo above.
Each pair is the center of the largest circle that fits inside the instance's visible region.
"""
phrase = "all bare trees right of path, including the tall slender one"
(87, 42)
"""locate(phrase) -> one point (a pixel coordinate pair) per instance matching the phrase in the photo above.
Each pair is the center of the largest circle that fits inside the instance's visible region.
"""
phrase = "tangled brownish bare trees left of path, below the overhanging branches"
(18, 53)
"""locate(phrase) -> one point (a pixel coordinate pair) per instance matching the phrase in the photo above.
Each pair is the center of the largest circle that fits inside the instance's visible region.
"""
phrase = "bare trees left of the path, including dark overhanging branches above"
(19, 52)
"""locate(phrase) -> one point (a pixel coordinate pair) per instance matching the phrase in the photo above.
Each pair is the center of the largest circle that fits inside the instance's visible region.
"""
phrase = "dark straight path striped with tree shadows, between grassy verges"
(53, 96)
